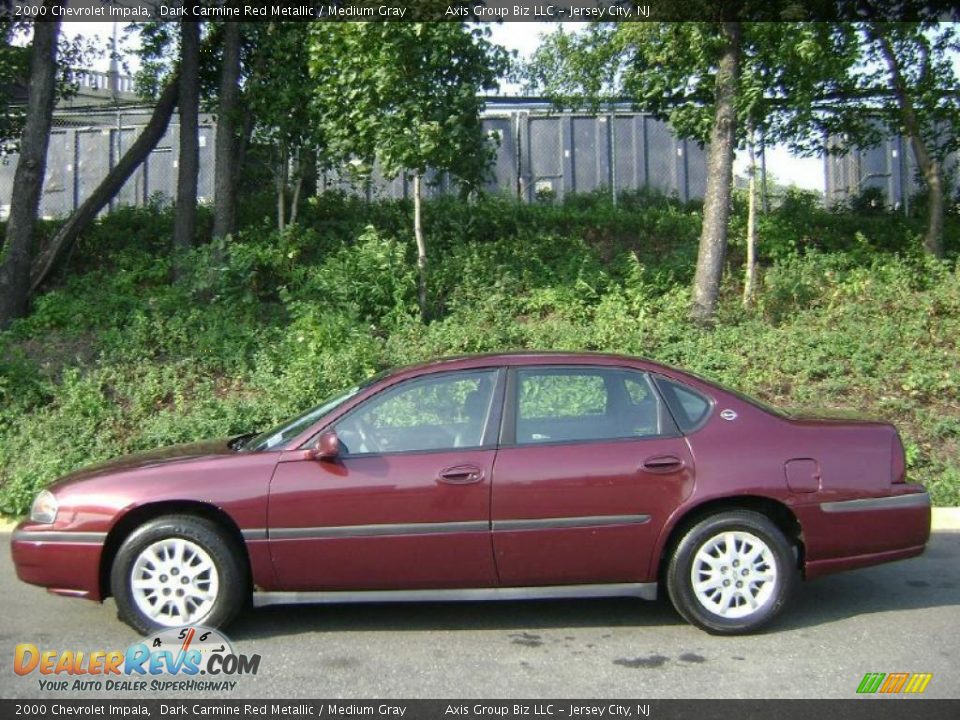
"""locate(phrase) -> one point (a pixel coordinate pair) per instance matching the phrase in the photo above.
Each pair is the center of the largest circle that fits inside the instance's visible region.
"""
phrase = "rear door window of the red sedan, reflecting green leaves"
(574, 404)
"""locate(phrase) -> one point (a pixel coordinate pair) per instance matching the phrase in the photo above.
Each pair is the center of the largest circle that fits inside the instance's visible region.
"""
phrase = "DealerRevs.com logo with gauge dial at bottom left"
(174, 660)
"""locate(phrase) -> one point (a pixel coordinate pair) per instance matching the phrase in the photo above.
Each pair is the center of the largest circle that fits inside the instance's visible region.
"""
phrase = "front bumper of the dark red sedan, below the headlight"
(66, 563)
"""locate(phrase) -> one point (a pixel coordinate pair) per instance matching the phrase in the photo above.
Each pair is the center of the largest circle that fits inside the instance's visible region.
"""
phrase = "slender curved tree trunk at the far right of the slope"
(929, 166)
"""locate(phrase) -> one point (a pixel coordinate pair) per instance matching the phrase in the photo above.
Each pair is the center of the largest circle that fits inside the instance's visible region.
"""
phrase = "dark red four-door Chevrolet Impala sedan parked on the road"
(530, 475)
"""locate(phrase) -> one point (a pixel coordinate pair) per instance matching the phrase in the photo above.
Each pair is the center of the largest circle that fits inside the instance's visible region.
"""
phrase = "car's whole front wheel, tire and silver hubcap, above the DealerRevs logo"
(178, 570)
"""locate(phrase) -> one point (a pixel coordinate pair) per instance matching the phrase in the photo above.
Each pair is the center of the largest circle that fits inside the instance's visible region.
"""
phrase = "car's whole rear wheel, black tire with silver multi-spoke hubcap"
(702, 612)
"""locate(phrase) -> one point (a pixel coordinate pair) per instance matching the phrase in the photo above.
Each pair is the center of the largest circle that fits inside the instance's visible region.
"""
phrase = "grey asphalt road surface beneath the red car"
(903, 617)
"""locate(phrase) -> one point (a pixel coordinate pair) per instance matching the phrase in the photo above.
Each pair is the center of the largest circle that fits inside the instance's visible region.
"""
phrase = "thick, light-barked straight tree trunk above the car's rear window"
(716, 205)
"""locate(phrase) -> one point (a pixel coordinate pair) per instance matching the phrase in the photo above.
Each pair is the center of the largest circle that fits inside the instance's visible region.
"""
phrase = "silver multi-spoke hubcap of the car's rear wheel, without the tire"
(734, 574)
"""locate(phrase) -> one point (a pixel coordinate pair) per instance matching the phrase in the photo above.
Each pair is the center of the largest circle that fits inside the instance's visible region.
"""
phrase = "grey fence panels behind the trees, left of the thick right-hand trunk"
(538, 155)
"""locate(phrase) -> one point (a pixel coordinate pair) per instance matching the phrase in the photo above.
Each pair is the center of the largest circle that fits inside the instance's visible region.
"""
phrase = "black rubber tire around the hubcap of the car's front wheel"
(233, 585)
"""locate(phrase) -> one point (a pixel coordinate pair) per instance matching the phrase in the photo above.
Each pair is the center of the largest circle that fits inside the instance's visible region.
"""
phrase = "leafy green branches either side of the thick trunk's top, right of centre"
(669, 69)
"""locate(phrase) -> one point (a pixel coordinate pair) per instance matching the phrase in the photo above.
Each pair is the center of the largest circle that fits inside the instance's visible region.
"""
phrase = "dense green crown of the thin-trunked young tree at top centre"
(406, 95)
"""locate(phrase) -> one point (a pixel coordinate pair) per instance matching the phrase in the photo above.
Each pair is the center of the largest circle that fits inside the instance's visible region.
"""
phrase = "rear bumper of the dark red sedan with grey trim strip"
(848, 534)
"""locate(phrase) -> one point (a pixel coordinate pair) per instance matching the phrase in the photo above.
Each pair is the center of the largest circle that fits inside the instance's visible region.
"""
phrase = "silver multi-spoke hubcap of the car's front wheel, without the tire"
(174, 582)
